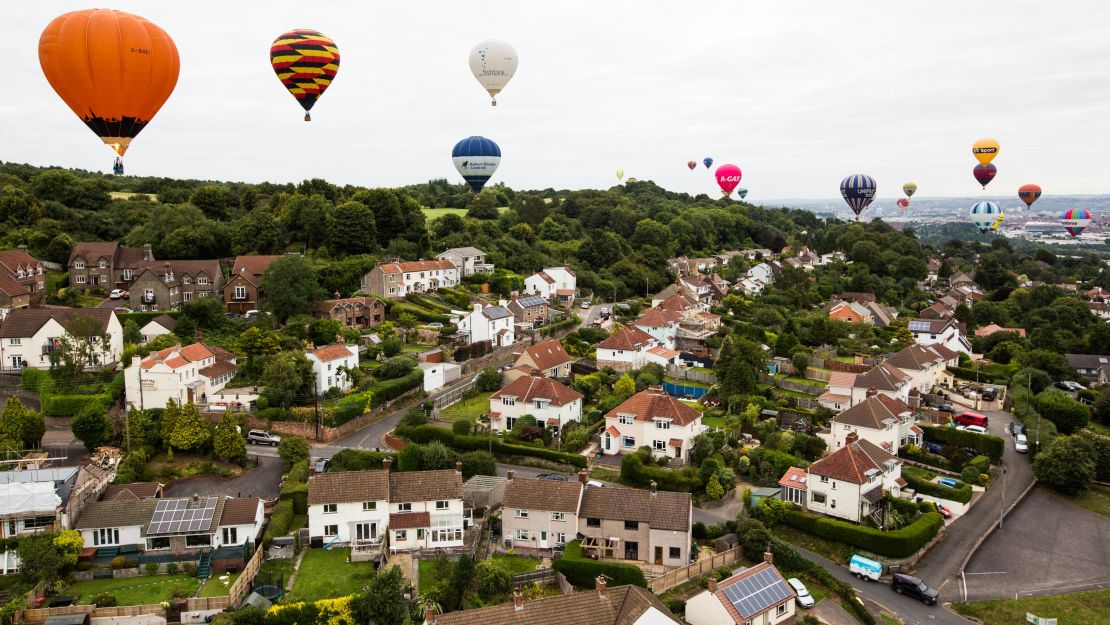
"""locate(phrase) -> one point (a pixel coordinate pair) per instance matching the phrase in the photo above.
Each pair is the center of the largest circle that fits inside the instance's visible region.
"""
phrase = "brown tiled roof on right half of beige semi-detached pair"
(661, 511)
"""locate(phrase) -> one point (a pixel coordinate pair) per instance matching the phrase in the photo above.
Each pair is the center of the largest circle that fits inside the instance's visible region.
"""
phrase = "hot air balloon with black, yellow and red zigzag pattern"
(306, 63)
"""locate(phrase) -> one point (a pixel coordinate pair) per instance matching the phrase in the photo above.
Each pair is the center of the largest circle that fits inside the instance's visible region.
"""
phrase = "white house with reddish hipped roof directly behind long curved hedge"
(851, 482)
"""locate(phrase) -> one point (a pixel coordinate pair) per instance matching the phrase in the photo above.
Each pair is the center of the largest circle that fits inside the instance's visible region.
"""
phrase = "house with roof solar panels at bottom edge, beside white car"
(758, 596)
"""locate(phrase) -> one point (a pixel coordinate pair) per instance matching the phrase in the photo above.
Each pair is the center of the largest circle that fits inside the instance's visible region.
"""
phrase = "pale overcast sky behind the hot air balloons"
(798, 94)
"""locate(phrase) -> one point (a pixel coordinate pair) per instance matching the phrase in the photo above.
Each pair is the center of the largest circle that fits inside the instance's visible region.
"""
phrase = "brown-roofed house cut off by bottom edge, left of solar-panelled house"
(621, 606)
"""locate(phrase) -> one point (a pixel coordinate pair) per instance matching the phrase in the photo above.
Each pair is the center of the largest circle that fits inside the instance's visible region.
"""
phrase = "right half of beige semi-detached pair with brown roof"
(652, 526)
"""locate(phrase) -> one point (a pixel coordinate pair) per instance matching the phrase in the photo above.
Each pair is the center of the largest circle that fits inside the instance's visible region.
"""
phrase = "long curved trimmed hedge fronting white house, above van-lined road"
(899, 543)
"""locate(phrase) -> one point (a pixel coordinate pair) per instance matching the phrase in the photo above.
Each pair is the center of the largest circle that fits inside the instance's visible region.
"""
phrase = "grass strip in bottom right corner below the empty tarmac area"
(1089, 609)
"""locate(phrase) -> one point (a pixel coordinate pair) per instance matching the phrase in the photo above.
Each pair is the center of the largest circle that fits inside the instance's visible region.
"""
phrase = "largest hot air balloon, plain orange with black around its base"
(114, 69)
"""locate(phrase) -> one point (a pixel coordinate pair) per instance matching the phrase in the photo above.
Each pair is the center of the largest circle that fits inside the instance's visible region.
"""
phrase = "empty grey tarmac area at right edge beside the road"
(1047, 546)
